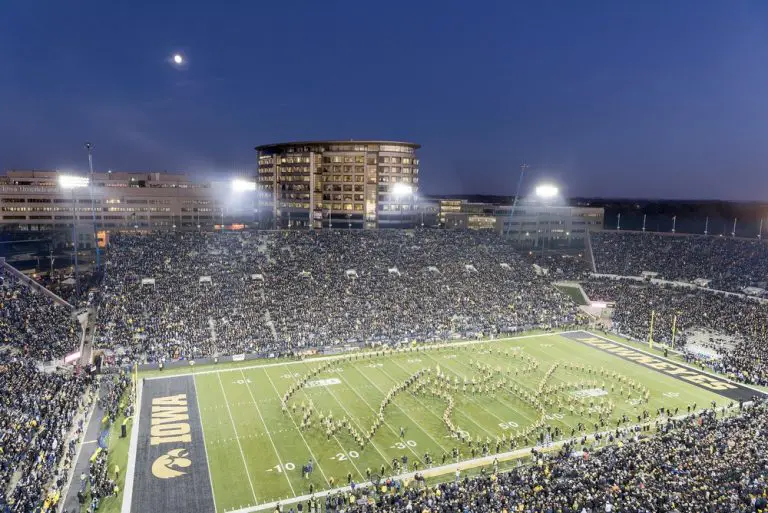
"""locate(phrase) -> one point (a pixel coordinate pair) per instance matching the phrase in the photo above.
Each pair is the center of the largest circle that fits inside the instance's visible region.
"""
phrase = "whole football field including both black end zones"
(240, 438)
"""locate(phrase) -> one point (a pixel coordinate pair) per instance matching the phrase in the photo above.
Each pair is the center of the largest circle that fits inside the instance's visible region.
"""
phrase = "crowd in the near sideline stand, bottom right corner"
(702, 464)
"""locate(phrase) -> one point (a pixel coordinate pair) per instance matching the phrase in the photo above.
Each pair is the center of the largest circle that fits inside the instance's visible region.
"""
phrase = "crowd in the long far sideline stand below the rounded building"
(283, 291)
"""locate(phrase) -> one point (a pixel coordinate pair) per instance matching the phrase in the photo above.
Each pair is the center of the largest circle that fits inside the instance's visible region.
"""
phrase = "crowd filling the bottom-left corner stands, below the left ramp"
(37, 410)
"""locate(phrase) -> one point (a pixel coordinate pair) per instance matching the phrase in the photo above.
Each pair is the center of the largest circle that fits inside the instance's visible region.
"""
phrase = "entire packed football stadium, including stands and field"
(250, 370)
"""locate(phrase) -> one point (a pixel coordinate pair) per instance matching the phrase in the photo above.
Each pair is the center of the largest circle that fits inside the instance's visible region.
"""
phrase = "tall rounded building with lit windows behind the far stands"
(349, 184)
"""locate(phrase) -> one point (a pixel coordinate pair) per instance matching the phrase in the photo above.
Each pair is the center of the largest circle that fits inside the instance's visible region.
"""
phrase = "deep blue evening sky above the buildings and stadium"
(639, 98)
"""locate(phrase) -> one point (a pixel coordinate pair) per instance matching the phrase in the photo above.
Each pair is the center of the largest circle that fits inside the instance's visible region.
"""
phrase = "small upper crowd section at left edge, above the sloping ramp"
(32, 324)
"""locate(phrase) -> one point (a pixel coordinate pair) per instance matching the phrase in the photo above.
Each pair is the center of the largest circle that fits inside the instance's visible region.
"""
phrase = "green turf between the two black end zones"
(256, 448)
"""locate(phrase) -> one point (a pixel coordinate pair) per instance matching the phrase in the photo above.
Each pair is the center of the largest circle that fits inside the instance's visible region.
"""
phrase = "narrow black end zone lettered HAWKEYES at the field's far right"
(705, 380)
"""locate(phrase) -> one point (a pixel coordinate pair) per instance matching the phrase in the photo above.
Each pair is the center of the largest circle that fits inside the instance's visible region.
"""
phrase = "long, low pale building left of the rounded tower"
(35, 201)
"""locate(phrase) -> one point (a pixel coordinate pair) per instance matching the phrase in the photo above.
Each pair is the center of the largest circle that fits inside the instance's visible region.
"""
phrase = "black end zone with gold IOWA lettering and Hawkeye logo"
(171, 470)
